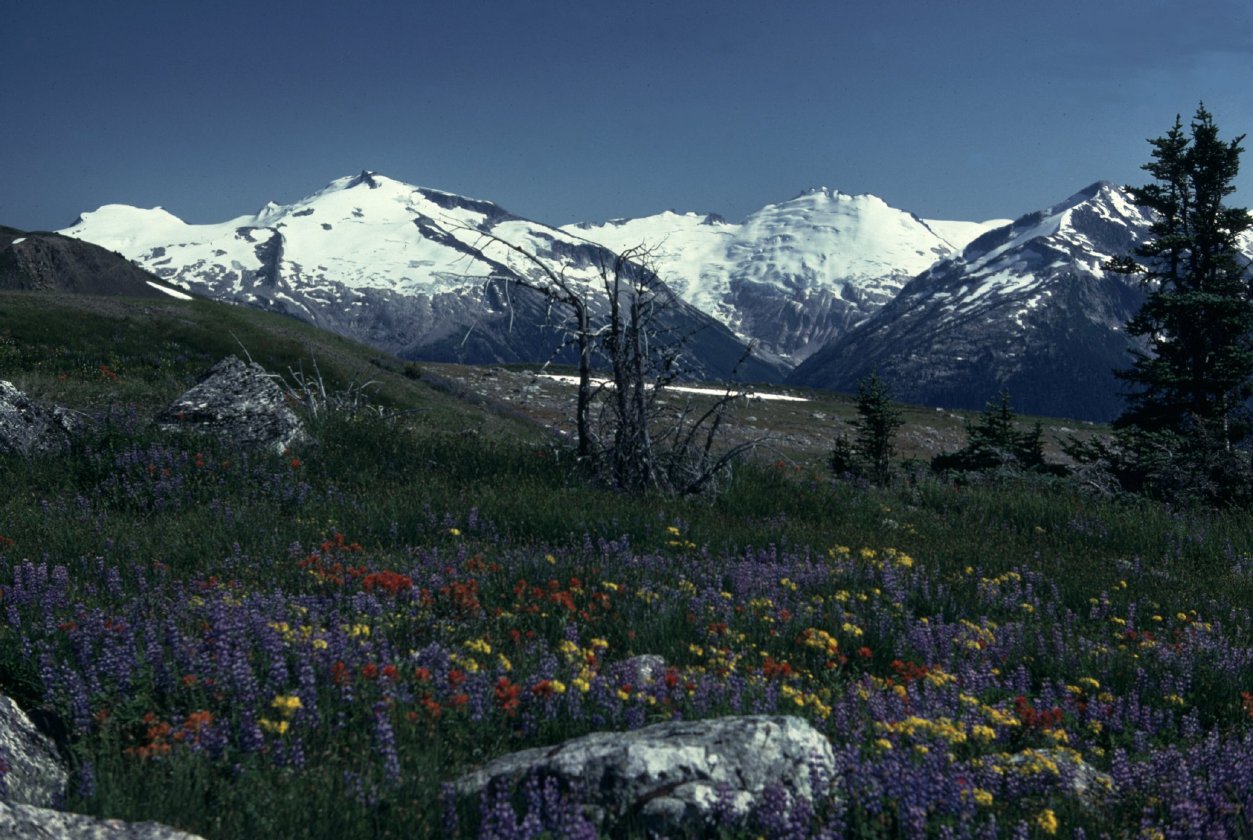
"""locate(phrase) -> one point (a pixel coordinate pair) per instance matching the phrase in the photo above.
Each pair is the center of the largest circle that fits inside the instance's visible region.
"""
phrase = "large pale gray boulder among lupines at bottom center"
(673, 775)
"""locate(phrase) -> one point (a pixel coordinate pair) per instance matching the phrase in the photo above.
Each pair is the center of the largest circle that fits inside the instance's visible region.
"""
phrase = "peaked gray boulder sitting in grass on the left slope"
(239, 403)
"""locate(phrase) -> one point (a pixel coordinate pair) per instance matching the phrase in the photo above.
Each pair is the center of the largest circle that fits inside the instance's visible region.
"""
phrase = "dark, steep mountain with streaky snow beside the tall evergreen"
(1027, 308)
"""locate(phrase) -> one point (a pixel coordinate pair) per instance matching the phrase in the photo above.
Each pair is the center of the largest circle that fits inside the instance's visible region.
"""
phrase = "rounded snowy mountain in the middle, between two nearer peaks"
(794, 275)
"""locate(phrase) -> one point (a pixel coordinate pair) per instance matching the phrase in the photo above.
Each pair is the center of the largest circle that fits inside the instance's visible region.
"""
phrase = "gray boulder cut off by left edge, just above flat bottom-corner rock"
(32, 773)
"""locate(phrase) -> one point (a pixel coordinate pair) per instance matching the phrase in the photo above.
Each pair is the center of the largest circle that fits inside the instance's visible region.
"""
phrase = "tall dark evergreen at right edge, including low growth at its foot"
(1187, 412)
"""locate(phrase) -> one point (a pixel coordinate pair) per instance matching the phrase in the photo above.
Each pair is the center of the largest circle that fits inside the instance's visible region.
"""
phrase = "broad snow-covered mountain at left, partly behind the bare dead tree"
(414, 271)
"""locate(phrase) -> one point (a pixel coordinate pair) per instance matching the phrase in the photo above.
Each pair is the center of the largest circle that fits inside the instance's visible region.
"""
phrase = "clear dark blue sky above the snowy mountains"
(588, 111)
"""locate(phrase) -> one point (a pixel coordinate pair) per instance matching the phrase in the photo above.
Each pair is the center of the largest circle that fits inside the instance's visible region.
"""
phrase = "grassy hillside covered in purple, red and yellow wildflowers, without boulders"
(309, 646)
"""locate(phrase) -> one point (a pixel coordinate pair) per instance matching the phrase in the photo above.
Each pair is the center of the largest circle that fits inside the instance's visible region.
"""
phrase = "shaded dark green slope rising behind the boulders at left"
(112, 353)
